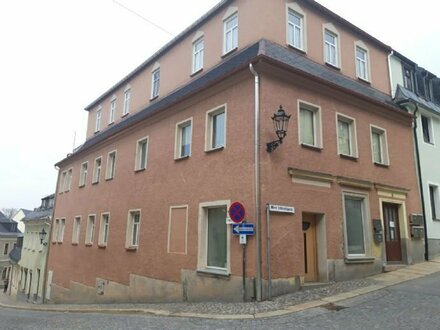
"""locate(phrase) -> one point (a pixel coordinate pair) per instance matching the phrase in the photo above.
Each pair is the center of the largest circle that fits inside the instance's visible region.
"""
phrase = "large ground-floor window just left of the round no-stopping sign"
(214, 238)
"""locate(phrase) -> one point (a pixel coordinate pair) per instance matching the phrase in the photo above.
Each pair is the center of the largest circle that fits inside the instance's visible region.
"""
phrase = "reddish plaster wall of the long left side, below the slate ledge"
(203, 177)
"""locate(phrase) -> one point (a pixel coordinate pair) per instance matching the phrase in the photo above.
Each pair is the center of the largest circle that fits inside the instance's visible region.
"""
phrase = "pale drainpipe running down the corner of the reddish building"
(258, 279)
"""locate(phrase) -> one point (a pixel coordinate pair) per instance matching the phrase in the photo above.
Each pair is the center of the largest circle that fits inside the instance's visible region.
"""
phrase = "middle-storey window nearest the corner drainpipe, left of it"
(215, 128)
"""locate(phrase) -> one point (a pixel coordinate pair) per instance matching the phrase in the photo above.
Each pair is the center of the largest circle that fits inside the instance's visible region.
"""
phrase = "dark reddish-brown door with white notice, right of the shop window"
(392, 232)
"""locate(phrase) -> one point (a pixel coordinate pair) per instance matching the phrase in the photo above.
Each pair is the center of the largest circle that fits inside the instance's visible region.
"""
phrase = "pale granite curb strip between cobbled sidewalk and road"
(380, 281)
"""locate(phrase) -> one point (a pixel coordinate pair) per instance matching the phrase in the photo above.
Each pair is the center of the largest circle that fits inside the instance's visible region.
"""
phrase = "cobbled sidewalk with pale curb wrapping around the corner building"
(286, 304)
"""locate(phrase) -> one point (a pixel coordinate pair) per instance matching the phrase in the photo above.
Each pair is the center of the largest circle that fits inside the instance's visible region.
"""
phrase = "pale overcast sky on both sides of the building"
(57, 56)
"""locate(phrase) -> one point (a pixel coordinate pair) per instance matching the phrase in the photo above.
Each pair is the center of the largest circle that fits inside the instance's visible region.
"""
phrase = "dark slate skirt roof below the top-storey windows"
(262, 50)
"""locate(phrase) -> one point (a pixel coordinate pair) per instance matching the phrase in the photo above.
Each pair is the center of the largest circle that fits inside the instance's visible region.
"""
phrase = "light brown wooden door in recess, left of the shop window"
(310, 254)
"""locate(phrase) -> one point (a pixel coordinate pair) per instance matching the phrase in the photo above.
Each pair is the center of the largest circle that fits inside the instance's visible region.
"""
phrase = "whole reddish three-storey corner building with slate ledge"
(171, 147)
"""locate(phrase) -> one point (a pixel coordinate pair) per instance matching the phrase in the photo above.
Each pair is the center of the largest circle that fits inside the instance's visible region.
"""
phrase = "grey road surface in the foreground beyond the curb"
(411, 305)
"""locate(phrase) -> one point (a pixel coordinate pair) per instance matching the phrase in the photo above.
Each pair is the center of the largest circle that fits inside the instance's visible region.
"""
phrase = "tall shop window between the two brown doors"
(356, 224)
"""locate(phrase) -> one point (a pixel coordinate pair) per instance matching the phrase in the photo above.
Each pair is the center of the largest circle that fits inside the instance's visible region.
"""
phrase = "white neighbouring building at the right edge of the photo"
(418, 91)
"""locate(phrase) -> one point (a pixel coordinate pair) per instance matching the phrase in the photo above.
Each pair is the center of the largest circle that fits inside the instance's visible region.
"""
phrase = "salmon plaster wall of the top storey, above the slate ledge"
(252, 27)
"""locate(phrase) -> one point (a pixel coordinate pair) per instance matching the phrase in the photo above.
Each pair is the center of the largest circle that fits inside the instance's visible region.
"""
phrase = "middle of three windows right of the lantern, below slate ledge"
(346, 135)
